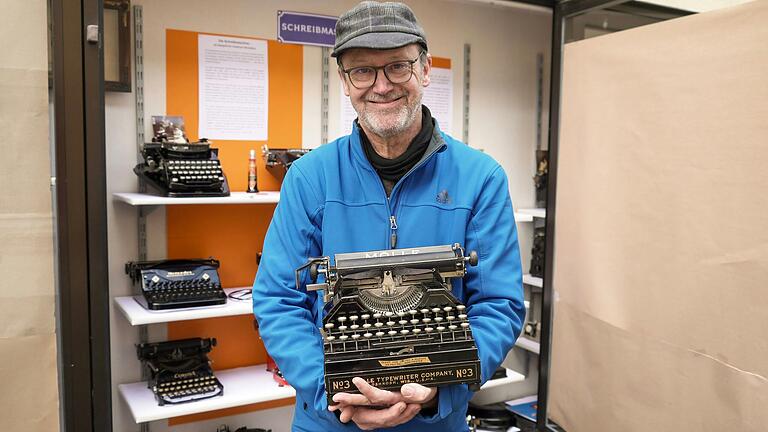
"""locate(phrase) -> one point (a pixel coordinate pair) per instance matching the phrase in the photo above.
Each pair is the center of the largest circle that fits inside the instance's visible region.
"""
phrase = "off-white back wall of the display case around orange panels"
(504, 41)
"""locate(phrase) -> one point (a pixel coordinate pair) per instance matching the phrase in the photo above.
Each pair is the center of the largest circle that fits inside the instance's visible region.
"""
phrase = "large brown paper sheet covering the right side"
(661, 255)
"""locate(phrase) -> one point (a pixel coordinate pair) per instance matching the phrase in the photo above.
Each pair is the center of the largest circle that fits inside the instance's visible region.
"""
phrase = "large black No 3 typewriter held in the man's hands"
(391, 318)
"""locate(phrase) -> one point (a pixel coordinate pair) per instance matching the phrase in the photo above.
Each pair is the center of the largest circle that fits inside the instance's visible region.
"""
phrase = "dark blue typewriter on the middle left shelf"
(176, 284)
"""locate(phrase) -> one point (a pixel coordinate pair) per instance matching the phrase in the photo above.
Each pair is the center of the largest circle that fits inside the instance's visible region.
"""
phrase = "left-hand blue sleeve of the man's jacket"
(286, 314)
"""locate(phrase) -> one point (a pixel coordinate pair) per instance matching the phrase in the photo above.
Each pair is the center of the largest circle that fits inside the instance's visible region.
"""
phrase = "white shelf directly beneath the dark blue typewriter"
(138, 315)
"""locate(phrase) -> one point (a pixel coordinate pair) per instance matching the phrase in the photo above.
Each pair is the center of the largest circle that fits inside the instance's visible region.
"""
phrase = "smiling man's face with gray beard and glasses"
(386, 109)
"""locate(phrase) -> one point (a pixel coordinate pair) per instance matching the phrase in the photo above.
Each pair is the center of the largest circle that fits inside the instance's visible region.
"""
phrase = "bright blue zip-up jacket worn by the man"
(333, 201)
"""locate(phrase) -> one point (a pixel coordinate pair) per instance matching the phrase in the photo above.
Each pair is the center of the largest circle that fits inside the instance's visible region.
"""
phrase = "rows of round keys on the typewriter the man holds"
(378, 330)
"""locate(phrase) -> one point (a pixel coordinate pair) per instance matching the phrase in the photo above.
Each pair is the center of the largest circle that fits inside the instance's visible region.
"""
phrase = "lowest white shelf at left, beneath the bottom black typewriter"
(242, 386)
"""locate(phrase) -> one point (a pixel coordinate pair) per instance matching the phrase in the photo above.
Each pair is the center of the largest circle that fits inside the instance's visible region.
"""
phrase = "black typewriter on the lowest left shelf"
(179, 370)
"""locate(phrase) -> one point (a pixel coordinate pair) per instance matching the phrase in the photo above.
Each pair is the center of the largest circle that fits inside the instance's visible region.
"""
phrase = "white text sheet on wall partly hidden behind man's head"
(438, 97)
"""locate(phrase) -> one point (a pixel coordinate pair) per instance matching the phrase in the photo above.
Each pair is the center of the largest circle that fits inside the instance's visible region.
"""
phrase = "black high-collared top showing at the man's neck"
(392, 170)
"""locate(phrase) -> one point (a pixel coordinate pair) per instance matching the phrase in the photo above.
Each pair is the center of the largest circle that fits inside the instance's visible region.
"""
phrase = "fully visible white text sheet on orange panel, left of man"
(233, 88)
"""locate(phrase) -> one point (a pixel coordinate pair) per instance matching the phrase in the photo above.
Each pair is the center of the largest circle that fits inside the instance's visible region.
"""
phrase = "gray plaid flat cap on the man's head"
(379, 26)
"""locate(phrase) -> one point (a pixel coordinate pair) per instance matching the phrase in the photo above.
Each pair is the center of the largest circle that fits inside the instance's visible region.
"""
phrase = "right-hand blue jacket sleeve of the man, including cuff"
(493, 290)
